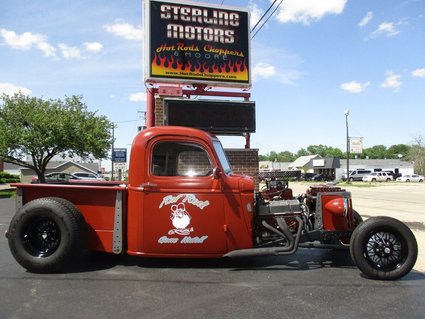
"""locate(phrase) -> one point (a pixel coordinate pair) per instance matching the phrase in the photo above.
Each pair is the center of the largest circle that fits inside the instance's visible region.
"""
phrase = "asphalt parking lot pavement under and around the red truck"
(310, 284)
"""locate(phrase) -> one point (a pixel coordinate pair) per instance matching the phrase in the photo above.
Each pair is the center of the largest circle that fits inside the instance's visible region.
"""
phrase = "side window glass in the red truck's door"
(180, 159)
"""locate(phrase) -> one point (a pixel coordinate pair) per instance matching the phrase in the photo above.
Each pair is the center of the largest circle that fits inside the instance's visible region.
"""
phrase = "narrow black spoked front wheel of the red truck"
(383, 248)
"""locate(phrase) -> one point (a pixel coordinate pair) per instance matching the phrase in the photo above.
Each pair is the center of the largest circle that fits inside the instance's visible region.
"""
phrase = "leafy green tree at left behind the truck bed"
(45, 128)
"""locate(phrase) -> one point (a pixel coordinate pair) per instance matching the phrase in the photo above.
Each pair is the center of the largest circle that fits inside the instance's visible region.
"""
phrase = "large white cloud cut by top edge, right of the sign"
(306, 11)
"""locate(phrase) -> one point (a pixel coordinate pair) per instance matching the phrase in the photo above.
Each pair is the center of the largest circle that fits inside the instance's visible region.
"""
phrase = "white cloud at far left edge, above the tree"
(28, 40)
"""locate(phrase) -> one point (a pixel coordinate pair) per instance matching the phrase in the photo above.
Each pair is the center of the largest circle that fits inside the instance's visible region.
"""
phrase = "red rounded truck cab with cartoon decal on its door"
(183, 197)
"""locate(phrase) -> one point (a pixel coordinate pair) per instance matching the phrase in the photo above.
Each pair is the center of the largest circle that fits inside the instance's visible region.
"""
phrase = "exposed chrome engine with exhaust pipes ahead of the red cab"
(284, 220)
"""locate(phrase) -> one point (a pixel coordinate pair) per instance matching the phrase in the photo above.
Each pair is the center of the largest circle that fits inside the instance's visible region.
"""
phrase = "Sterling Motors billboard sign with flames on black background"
(191, 43)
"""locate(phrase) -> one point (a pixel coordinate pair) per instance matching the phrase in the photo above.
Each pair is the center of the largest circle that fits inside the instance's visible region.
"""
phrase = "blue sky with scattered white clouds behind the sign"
(311, 61)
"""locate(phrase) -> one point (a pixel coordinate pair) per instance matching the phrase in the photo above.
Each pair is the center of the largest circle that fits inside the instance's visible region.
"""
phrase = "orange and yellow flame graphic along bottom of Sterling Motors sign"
(171, 66)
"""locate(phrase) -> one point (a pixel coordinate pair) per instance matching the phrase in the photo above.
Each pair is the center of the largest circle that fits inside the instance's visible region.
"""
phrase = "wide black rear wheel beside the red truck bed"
(44, 235)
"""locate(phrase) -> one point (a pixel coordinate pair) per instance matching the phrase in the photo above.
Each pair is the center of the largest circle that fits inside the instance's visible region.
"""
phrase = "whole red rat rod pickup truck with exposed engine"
(182, 200)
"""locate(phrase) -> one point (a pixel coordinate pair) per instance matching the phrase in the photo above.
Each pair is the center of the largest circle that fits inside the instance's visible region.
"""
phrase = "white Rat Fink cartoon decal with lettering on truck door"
(180, 219)
